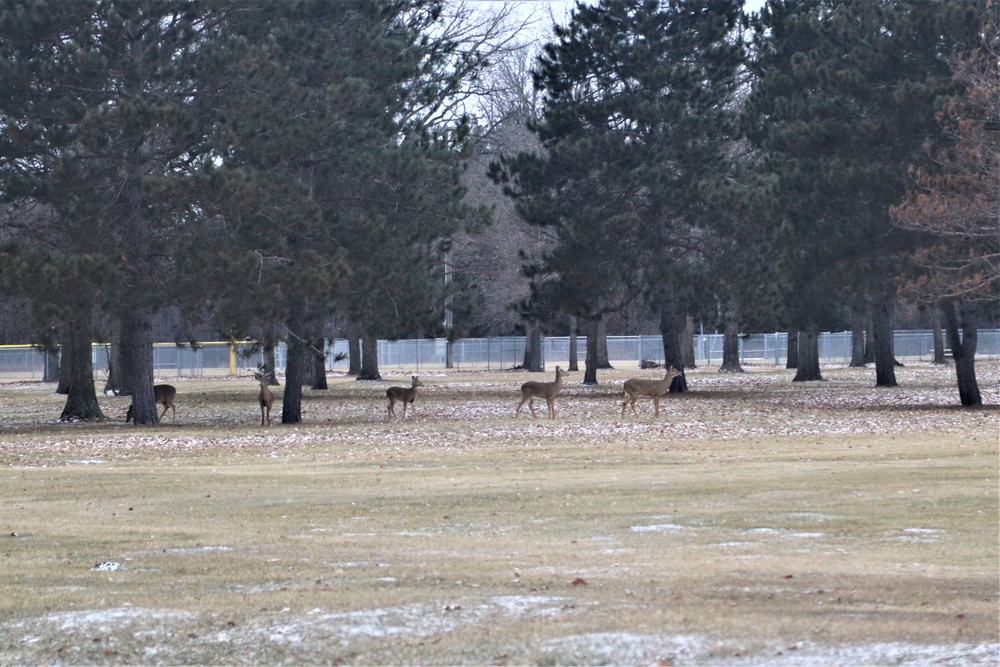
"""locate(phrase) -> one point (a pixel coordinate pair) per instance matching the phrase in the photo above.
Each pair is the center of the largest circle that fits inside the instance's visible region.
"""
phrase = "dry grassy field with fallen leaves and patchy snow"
(758, 521)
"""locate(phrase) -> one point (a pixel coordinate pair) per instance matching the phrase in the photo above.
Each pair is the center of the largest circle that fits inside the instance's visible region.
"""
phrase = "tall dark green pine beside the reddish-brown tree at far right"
(844, 99)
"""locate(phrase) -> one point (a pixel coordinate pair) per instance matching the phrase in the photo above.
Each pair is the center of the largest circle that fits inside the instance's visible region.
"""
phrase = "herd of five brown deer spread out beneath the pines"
(634, 388)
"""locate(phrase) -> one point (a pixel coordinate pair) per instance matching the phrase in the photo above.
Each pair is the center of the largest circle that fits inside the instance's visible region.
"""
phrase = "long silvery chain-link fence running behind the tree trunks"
(220, 359)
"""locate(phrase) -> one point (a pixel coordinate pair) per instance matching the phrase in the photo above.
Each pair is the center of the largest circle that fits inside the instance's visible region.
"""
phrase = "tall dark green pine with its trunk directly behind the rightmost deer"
(632, 130)
